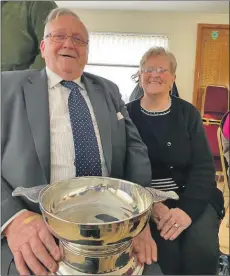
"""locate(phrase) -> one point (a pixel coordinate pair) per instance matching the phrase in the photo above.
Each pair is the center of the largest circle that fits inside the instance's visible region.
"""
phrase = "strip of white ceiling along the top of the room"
(158, 6)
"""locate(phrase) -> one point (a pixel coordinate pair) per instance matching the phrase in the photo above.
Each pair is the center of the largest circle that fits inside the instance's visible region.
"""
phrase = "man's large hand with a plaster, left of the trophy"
(32, 244)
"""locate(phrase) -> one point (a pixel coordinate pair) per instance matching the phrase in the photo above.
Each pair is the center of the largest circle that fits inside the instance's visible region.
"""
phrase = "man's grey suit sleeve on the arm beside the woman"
(137, 165)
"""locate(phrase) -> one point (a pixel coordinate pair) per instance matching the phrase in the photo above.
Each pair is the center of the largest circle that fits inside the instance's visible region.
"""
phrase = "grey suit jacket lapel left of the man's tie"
(37, 106)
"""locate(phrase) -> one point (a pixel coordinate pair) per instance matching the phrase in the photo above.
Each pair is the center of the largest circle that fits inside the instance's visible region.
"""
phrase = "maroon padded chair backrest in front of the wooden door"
(215, 104)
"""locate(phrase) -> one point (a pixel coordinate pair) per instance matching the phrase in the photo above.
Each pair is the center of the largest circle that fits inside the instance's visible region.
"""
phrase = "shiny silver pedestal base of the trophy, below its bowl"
(114, 259)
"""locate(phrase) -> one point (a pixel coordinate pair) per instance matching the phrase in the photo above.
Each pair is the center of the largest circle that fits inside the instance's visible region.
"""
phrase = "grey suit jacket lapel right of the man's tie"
(101, 111)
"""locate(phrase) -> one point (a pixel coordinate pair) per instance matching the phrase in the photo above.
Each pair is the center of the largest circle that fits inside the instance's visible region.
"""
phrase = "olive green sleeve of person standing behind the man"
(38, 13)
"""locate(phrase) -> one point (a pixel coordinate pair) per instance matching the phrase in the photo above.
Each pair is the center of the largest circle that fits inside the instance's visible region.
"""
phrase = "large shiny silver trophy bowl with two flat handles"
(95, 220)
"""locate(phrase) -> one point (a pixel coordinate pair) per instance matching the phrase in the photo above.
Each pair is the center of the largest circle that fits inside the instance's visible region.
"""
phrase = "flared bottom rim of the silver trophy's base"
(65, 269)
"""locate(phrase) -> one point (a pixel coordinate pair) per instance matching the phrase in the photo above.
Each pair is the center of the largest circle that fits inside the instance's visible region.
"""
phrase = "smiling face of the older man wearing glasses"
(62, 56)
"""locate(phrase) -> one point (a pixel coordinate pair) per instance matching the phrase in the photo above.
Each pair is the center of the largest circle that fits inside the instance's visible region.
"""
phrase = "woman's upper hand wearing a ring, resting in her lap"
(173, 223)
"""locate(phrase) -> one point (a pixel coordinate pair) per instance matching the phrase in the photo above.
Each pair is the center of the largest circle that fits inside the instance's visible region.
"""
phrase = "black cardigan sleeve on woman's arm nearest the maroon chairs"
(201, 182)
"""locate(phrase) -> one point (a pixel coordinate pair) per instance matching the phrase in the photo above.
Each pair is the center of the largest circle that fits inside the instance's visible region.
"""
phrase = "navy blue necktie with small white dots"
(87, 156)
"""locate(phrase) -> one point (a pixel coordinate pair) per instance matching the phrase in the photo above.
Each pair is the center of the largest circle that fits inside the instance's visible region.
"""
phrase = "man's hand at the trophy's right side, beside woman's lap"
(145, 247)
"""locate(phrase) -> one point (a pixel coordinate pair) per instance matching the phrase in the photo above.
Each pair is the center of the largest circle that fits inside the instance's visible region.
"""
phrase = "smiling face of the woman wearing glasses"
(156, 76)
